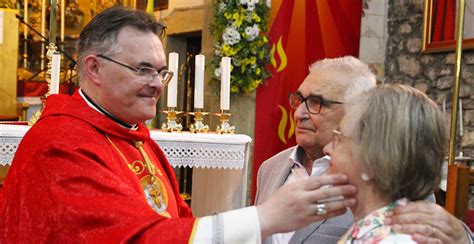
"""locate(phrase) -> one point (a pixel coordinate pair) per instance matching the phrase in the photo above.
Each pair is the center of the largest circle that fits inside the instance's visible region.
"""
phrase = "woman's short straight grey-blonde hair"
(401, 138)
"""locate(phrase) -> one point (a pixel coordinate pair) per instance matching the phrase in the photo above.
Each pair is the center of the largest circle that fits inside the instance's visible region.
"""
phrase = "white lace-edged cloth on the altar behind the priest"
(181, 149)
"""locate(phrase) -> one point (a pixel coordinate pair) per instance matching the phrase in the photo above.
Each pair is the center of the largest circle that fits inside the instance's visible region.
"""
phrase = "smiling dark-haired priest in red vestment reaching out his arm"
(89, 172)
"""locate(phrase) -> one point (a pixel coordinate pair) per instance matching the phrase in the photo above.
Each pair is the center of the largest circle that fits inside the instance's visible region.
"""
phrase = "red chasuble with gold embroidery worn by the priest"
(77, 176)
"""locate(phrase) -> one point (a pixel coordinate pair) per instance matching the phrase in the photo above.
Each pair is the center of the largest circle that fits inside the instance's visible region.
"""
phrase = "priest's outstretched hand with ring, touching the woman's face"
(295, 205)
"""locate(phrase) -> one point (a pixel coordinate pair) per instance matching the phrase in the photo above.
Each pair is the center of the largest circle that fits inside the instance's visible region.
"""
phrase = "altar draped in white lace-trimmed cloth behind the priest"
(219, 162)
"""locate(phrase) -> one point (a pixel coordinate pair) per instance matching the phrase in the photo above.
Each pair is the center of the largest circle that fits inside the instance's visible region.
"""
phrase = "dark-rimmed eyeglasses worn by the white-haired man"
(313, 102)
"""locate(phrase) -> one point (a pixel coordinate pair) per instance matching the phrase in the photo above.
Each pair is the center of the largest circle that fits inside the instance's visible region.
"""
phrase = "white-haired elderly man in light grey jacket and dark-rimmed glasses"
(318, 111)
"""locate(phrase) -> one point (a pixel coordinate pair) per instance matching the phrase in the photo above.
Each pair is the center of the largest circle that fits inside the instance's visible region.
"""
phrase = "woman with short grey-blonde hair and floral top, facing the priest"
(391, 145)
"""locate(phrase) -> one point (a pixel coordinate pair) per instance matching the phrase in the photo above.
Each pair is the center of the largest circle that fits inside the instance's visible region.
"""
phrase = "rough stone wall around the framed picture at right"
(430, 73)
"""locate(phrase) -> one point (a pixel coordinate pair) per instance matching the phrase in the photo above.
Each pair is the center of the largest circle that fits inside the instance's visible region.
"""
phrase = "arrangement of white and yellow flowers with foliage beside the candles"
(239, 28)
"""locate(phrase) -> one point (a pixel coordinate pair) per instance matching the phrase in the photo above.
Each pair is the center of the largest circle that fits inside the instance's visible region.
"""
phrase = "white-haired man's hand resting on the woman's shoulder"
(428, 223)
